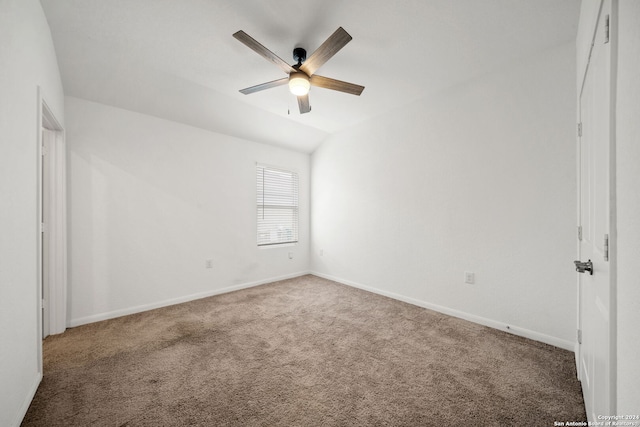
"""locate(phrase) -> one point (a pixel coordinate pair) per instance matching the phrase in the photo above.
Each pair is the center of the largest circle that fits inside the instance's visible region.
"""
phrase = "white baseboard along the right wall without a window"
(526, 333)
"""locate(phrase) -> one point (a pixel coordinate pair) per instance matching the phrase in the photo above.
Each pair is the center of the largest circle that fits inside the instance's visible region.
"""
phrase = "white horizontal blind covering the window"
(277, 205)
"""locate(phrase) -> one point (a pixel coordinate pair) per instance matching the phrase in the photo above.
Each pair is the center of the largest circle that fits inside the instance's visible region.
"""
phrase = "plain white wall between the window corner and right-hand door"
(481, 179)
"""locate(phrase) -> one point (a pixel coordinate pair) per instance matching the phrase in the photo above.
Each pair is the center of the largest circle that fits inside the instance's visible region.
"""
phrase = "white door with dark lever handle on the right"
(595, 291)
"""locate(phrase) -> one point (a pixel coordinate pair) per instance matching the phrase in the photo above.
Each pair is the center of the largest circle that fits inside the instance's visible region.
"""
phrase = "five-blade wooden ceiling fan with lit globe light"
(302, 75)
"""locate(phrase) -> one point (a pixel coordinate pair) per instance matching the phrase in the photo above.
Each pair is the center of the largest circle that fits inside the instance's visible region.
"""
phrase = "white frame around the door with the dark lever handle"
(590, 18)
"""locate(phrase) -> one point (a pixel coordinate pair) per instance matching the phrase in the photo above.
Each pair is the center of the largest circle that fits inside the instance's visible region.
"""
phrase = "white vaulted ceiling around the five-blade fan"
(177, 59)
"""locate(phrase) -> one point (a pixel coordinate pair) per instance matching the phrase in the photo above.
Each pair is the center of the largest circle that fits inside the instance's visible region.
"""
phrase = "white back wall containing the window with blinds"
(150, 200)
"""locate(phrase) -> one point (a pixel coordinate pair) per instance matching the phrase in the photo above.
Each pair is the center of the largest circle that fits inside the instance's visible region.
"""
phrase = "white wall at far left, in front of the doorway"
(27, 60)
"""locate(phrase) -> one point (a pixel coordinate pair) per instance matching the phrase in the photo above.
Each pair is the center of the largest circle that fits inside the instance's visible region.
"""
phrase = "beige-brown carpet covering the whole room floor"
(301, 352)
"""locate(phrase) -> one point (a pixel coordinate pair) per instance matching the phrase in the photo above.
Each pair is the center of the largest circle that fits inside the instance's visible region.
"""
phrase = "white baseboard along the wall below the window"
(145, 307)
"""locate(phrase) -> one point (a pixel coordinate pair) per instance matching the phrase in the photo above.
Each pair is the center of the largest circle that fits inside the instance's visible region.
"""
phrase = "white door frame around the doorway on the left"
(56, 224)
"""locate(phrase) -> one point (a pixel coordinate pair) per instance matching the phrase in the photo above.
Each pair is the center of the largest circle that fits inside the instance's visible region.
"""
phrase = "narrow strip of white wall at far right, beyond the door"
(628, 205)
